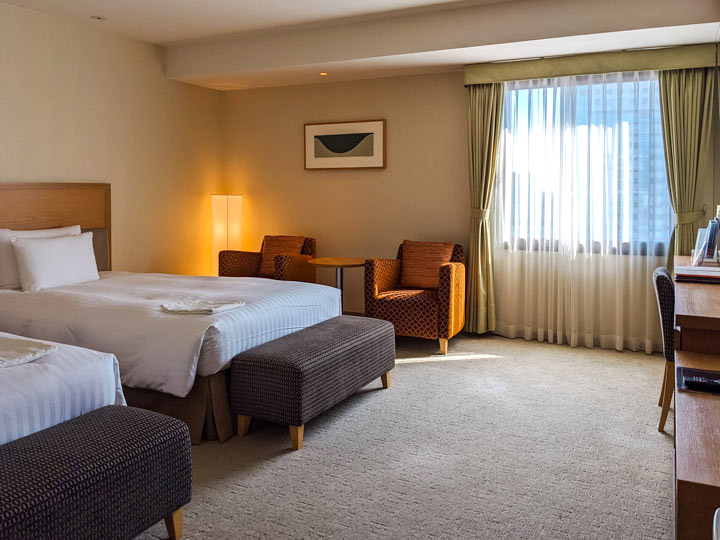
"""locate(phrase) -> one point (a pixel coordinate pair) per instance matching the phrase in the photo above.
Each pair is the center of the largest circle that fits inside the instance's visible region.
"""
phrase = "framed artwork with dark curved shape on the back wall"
(345, 145)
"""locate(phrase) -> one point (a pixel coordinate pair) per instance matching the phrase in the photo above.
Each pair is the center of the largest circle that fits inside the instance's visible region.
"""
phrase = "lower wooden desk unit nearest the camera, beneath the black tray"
(697, 454)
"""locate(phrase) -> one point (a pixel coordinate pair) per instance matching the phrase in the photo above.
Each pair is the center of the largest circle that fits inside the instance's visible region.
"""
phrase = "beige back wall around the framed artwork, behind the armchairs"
(423, 194)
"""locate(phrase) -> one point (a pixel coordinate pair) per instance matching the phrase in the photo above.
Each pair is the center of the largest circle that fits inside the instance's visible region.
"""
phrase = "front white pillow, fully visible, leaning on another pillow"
(52, 262)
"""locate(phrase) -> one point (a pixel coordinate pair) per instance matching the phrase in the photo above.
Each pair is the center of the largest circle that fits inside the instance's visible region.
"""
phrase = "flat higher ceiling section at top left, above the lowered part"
(168, 21)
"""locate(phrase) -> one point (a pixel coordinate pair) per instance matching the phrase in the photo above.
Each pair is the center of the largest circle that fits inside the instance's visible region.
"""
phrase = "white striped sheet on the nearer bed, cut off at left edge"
(62, 385)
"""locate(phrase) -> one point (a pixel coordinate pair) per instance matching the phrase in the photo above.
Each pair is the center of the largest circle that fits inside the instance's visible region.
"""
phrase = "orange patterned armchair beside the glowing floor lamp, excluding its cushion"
(287, 266)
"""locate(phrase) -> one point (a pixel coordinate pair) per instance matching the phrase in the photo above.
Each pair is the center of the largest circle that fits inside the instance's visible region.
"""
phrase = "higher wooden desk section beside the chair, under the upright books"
(697, 315)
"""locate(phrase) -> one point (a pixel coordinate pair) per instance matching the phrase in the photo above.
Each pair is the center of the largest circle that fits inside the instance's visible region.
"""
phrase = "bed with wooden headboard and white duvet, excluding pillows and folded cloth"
(170, 363)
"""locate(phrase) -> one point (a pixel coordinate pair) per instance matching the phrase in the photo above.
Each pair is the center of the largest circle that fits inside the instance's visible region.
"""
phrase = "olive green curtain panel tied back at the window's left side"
(485, 120)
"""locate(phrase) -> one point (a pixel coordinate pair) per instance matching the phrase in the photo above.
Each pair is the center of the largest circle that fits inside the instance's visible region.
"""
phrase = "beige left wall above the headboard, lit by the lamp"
(78, 103)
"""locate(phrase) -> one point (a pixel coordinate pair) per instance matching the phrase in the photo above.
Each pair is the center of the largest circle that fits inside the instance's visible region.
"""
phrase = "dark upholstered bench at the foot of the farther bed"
(296, 377)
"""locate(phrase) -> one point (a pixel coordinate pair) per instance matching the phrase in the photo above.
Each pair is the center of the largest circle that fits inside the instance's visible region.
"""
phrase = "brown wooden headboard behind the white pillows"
(45, 205)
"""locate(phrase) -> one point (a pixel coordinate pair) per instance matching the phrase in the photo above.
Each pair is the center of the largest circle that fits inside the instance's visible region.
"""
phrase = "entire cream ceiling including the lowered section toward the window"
(241, 44)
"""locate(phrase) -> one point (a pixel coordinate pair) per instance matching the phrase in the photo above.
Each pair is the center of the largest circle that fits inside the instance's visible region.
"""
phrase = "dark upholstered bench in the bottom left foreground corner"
(108, 474)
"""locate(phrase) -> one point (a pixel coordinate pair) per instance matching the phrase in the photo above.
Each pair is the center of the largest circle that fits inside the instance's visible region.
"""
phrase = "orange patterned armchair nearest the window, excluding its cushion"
(424, 313)
